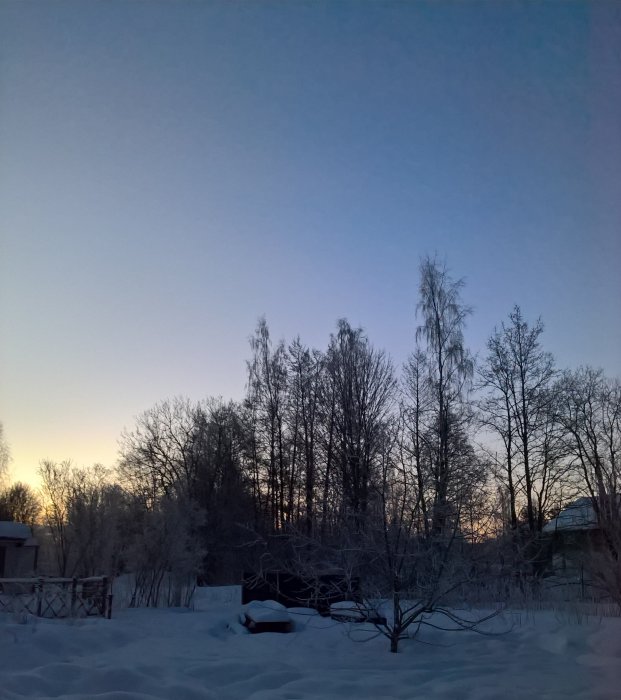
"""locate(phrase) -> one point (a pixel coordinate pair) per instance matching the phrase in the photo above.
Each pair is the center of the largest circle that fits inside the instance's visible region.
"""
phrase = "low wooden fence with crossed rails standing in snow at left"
(57, 597)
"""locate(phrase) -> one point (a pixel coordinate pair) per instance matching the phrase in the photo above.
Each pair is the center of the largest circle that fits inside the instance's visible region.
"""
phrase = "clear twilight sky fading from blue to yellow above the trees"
(172, 171)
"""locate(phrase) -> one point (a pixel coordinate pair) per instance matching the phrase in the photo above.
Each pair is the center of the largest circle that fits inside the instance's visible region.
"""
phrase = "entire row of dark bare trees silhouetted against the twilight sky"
(338, 450)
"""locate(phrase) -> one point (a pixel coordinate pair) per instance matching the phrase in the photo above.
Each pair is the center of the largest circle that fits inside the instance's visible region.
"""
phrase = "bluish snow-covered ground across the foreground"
(203, 654)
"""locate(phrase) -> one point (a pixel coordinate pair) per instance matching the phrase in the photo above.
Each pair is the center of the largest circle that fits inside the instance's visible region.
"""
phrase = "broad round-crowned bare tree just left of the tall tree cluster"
(195, 451)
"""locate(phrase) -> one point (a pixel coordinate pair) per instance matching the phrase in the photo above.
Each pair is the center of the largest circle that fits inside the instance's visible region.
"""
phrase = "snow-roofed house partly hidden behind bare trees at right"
(573, 534)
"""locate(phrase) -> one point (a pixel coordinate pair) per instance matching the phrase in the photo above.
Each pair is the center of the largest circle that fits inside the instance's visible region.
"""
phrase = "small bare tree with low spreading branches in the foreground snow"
(401, 576)
